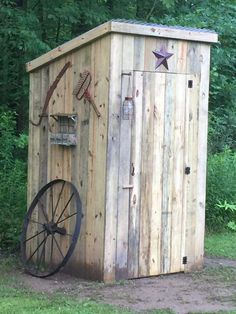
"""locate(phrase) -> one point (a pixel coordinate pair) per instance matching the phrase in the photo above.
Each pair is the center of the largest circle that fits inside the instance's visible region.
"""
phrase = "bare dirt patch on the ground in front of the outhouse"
(212, 289)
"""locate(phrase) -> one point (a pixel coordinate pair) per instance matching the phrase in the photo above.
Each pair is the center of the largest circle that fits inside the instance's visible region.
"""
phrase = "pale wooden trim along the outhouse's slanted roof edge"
(125, 27)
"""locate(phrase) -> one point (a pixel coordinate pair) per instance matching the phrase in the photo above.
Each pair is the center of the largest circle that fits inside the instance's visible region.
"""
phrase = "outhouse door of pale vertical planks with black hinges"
(158, 166)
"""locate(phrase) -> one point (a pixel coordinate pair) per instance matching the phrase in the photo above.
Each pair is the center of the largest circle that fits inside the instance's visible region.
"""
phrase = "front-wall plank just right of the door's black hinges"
(191, 143)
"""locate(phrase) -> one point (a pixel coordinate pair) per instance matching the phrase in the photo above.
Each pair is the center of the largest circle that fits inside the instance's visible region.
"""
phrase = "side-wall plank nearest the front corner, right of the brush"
(97, 159)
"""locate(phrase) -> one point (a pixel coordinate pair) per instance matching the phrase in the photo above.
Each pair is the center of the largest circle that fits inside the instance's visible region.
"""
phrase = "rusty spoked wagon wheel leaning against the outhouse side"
(51, 228)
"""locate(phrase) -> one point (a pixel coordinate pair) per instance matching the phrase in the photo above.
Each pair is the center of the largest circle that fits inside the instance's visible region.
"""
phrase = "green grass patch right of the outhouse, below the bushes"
(221, 244)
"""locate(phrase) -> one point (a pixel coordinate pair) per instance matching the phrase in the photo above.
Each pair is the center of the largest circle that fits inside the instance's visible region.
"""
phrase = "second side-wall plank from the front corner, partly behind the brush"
(82, 62)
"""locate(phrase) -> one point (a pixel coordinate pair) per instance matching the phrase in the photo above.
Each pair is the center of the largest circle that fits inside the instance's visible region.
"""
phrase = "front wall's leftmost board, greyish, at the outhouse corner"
(112, 157)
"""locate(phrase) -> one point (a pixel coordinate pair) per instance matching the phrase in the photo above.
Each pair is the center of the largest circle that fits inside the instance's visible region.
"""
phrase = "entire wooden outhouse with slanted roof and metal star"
(135, 145)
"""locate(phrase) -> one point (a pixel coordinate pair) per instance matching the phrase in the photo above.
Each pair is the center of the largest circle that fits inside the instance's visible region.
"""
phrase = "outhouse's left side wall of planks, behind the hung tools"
(83, 165)
